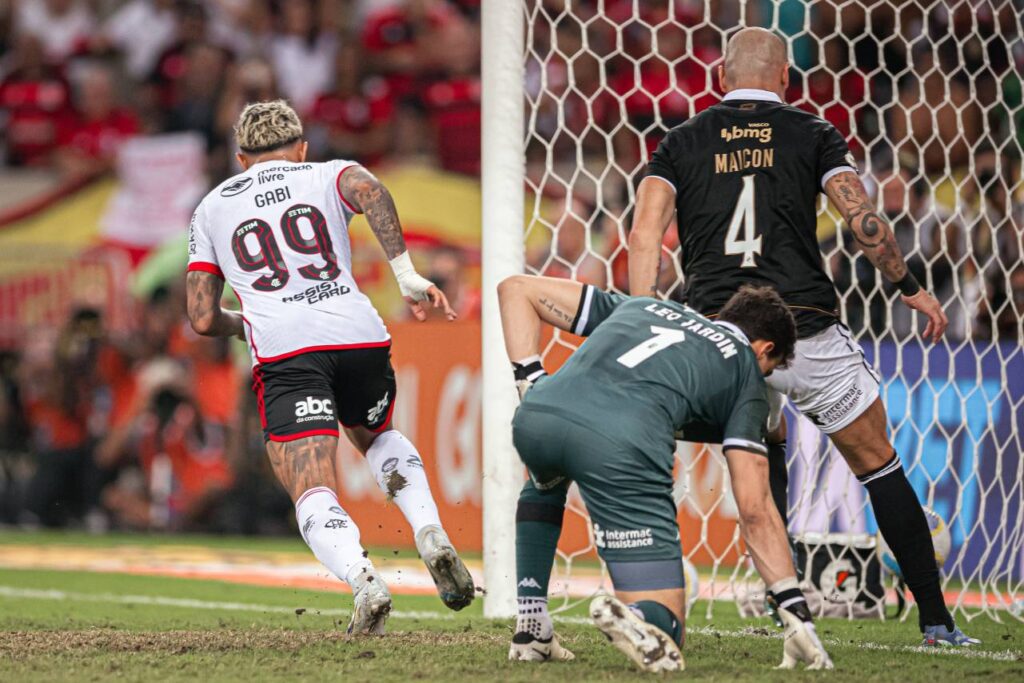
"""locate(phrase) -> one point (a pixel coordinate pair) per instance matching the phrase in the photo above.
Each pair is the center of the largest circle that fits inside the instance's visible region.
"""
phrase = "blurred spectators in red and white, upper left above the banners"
(77, 77)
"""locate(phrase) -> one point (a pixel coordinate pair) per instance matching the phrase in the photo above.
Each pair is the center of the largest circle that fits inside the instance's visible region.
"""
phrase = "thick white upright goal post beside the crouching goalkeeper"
(503, 166)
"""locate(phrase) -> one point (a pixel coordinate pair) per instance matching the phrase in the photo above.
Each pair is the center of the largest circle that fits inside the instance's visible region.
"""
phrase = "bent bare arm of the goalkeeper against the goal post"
(529, 302)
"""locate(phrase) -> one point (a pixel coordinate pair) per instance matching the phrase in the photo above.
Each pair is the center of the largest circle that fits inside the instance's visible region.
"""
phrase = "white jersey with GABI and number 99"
(279, 235)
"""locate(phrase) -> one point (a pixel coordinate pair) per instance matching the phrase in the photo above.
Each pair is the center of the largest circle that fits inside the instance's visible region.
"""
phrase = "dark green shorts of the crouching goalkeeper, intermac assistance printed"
(628, 494)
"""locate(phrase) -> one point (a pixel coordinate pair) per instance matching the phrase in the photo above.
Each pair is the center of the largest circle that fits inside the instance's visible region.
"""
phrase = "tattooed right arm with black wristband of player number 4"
(877, 241)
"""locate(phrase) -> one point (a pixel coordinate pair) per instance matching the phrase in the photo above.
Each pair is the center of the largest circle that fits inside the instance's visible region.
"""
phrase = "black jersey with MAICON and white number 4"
(747, 174)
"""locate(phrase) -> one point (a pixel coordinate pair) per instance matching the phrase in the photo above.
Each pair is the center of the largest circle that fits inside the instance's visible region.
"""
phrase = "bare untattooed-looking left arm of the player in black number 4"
(656, 204)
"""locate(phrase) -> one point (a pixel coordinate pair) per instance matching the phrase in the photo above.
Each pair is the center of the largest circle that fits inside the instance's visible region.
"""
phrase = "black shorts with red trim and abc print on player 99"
(309, 395)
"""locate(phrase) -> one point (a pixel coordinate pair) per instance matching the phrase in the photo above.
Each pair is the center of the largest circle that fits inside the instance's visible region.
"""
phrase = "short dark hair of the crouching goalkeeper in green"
(761, 314)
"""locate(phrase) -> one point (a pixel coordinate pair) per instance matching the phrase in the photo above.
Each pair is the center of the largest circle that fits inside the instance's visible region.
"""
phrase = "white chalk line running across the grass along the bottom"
(747, 632)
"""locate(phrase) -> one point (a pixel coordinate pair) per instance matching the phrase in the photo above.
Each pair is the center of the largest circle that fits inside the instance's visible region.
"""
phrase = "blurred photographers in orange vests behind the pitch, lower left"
(154, 430)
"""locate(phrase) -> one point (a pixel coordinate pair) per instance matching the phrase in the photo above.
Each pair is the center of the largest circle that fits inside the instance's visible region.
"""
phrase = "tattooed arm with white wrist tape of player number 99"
(363, 191)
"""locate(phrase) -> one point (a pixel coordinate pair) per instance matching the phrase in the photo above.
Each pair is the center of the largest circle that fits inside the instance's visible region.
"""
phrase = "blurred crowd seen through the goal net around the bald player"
(929, 97)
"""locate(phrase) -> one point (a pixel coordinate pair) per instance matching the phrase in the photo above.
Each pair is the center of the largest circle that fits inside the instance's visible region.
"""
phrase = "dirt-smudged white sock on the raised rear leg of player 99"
(399, 471)
